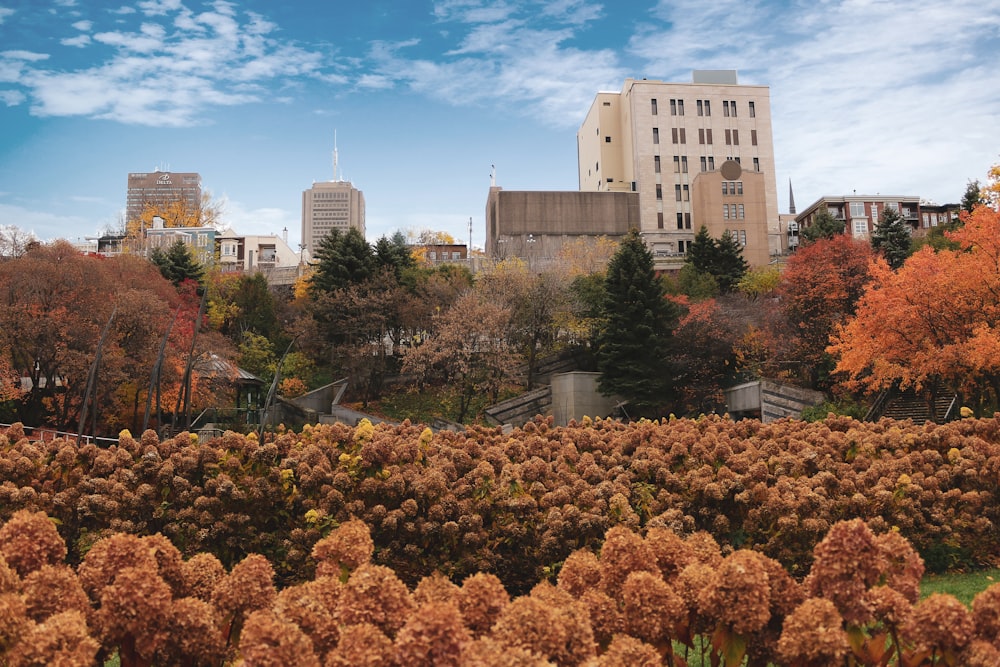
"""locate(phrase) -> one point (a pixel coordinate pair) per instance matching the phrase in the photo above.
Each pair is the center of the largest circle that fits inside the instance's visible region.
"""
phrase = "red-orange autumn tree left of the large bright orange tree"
(820, 288)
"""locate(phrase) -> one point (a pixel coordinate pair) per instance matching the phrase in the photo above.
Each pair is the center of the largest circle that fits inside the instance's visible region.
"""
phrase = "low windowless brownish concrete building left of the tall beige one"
(534, 225)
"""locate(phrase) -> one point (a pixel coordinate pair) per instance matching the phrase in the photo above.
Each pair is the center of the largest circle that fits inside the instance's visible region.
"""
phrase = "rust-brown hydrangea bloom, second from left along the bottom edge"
(134, 612)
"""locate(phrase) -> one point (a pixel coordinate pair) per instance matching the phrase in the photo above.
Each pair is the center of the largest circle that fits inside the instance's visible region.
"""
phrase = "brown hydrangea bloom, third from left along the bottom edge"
(194, 638)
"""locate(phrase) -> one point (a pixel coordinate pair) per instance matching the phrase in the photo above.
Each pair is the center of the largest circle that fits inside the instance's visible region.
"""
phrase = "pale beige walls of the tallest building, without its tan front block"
(629, 120)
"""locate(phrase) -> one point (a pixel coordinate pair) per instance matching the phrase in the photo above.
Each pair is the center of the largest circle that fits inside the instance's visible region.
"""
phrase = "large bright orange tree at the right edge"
(934, 324)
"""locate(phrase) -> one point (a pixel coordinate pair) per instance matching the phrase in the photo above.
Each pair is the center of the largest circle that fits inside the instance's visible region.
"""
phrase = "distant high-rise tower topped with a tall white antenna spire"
(330, 205)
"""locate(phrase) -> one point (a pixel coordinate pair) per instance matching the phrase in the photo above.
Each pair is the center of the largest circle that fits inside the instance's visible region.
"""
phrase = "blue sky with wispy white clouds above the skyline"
(873, 96)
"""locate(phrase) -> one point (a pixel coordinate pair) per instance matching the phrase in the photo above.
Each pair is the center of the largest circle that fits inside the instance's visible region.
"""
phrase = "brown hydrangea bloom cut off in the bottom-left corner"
(61, 640)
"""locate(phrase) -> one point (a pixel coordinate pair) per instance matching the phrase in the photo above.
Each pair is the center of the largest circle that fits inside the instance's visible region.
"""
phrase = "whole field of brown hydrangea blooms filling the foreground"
(600, 543)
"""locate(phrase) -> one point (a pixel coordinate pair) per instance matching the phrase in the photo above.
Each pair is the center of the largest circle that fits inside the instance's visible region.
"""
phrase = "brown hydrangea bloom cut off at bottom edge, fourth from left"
(268, 641)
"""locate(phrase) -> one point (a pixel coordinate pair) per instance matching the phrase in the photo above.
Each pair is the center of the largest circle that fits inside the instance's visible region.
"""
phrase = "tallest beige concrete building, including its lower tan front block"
(668, 142)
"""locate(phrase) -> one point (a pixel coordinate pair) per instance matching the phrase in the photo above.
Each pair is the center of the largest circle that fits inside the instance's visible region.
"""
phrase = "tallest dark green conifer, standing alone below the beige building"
(634, 338)
